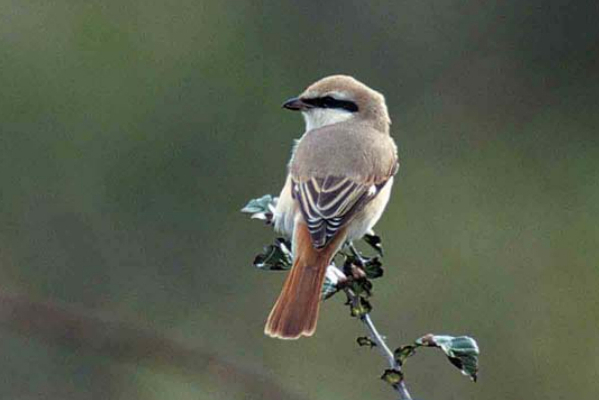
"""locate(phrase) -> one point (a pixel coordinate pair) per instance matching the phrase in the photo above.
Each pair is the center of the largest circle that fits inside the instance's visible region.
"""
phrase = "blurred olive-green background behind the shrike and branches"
(132, 132)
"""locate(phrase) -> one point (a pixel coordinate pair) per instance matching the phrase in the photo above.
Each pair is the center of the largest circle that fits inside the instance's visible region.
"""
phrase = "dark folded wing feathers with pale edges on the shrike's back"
(327, 204)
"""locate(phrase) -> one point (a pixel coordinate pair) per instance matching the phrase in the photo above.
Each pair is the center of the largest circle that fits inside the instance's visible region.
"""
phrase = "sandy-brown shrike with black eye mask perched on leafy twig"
(340, 177)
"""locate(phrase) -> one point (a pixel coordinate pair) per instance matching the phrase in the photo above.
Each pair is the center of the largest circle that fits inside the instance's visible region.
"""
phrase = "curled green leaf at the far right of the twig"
(462, 351)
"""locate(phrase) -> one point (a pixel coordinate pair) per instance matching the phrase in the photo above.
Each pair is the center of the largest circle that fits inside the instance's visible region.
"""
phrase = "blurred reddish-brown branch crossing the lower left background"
(62, 325)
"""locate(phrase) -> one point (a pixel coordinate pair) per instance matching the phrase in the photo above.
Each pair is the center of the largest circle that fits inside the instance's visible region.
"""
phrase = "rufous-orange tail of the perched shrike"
(296, 311)
